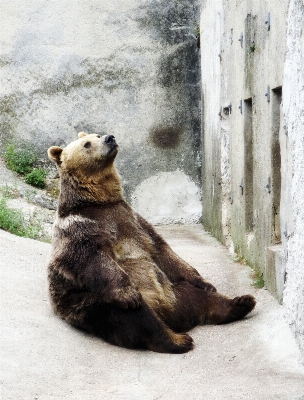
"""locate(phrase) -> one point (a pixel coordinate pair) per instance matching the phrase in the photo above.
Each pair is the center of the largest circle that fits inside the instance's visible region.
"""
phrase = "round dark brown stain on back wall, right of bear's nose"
(166, 137)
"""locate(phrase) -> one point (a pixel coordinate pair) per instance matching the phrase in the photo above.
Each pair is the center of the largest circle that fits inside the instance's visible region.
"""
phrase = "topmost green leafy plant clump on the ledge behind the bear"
(20, 160)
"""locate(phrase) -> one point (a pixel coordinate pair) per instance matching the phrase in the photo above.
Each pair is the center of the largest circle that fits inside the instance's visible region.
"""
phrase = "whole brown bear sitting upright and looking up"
(110, 273)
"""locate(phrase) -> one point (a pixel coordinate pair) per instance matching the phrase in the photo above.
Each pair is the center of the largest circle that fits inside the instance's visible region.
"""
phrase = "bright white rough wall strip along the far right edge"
(293, 184)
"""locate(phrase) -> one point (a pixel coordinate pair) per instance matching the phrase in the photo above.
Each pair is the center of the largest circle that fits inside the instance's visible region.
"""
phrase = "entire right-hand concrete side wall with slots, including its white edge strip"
(252, 171)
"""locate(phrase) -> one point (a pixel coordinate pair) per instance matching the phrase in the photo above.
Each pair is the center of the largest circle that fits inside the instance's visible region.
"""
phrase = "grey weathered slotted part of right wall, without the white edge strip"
(241, 135)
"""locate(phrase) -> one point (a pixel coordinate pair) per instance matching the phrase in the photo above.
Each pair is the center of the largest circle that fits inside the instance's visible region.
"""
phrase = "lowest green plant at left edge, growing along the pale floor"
(14, 222)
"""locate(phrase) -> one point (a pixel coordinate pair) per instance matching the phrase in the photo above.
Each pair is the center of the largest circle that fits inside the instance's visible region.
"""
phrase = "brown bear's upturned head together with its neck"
(87, 172)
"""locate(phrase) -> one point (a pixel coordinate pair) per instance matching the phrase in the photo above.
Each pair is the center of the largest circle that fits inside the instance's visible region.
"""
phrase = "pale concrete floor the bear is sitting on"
(43, 358)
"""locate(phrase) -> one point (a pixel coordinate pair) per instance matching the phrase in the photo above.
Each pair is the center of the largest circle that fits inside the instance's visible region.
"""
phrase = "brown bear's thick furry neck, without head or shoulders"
(76, 191)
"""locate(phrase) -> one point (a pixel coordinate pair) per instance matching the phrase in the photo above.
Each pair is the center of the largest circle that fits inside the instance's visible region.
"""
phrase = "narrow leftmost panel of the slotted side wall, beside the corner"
(211, 31)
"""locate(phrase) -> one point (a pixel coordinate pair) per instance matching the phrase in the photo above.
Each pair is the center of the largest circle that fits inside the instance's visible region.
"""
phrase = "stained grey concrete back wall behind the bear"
(128, 68)
